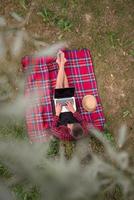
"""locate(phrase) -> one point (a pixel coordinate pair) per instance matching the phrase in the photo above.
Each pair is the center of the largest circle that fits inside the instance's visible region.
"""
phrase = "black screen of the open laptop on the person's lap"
(64, 92)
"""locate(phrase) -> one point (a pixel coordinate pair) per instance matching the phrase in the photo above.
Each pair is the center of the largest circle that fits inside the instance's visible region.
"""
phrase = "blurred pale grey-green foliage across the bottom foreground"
(101, 176)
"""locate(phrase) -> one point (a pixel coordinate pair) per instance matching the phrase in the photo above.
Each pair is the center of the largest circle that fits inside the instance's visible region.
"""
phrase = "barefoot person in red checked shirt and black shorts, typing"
(60, 127)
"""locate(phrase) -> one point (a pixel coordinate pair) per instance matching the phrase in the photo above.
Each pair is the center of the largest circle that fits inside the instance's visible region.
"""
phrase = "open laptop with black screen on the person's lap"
(62, 95)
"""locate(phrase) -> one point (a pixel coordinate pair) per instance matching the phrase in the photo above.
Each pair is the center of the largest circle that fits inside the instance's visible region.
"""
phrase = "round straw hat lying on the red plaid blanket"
(89, 103)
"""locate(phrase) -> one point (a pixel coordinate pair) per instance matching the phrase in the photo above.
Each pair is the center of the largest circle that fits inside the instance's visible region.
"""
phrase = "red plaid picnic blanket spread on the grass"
(41, 79)
